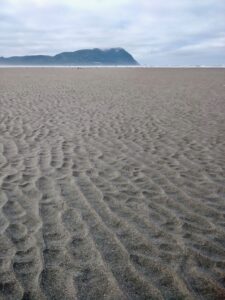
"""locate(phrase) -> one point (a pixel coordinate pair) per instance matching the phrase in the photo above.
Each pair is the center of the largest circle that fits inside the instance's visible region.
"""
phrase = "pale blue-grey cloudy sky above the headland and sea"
(155, 32)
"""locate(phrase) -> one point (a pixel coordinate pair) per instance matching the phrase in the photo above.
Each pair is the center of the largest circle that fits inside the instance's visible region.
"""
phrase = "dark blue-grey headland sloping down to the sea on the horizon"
(84, 57)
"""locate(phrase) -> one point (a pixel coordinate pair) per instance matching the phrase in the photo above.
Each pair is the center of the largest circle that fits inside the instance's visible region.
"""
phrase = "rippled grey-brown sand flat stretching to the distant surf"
(112, 184)
